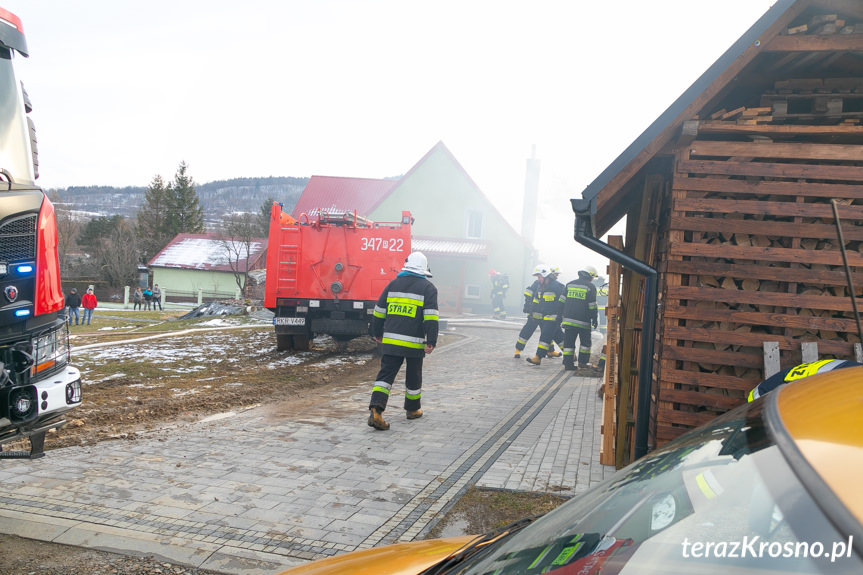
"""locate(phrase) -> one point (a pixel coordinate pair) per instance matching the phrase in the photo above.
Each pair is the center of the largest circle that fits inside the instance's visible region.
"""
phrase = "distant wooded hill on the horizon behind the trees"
(217, 198)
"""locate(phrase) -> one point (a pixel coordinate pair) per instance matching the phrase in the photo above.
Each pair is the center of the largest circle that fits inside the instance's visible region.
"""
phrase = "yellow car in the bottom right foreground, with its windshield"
(771, 487)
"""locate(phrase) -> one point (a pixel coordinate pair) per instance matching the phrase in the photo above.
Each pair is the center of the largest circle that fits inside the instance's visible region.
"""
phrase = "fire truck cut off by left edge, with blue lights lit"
(37, 385)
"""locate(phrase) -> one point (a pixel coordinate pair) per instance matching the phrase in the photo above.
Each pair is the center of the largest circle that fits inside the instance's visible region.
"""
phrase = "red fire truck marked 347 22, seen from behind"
(324, 275)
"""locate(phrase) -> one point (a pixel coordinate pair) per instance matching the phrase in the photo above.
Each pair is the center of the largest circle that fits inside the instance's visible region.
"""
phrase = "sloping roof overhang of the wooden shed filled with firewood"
(759, 58)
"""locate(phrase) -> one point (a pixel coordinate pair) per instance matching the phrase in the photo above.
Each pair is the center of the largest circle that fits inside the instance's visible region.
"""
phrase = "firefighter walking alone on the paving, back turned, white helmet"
(405, 323)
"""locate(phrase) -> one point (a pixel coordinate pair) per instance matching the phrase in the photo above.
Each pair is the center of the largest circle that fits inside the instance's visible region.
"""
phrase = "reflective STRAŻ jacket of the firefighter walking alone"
(406, 316)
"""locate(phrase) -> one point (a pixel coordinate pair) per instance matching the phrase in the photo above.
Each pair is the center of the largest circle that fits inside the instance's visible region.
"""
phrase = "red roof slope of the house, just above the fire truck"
(335, 194)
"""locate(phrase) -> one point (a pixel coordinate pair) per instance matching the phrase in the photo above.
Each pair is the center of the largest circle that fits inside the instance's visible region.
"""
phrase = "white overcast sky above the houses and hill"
(126, 90)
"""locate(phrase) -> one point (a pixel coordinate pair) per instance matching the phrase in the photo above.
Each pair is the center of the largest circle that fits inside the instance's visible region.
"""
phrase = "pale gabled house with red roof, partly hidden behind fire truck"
(455, 226)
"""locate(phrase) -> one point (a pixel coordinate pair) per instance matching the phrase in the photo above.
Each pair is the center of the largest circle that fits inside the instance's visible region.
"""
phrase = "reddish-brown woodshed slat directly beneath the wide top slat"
(767, 169)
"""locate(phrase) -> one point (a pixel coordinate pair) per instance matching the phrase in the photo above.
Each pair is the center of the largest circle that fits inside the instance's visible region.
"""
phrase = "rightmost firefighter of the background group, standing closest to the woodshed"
(579, 317)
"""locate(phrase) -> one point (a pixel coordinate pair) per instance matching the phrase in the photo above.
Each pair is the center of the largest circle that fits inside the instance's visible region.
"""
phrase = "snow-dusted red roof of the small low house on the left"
(202, 252)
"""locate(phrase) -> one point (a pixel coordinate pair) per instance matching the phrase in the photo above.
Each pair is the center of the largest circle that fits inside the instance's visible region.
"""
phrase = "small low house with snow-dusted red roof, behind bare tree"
(207, 263)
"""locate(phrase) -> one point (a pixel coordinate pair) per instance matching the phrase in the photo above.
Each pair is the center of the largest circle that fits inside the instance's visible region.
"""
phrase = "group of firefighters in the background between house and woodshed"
(564, 314)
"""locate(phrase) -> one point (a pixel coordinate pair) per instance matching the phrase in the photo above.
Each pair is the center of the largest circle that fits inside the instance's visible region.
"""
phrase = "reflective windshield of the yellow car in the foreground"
(722, 499)
